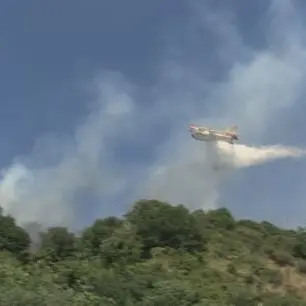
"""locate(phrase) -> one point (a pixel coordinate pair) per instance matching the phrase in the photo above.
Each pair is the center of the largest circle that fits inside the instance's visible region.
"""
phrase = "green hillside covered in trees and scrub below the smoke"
(157, 254)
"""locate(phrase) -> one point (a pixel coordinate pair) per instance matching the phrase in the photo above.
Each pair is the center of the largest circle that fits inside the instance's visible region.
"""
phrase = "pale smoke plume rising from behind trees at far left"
(48, 191)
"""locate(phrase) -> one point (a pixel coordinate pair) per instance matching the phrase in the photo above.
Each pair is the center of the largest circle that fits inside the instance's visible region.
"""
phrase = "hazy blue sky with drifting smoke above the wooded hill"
(96, 97)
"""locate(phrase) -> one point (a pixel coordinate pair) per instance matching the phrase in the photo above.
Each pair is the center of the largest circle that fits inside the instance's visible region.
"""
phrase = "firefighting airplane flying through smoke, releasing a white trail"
(208, 134)
